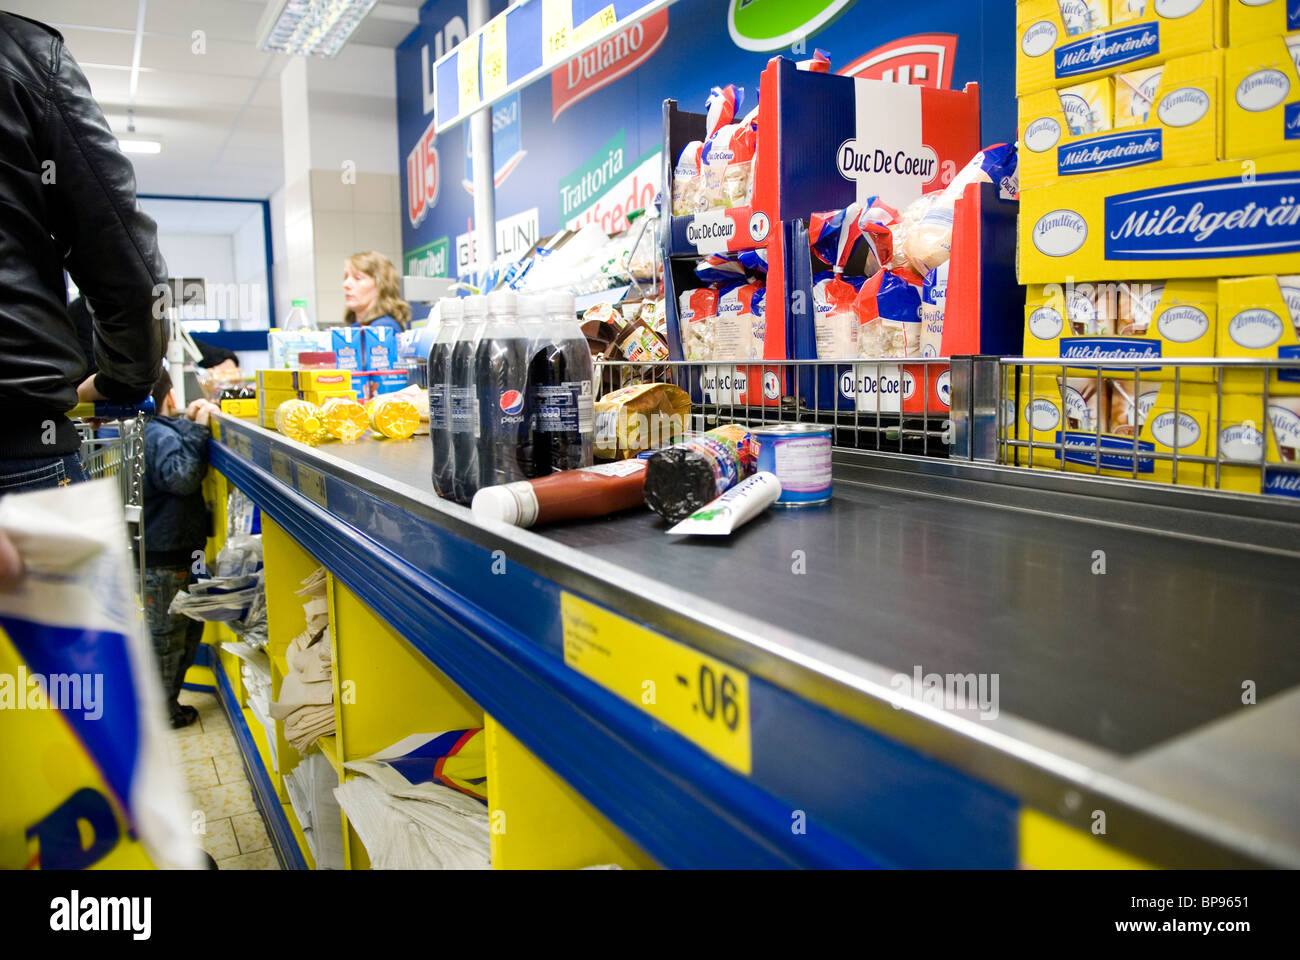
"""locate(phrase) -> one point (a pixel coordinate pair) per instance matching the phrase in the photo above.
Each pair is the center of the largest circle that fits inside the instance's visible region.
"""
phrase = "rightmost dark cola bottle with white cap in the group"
(561, 375)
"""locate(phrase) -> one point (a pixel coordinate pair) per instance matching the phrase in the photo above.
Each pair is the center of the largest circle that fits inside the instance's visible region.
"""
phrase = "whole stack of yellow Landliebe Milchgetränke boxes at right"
(1160, 218)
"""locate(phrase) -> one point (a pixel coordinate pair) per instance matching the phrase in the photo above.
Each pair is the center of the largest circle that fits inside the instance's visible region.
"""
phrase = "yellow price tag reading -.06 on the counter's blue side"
(703, 699)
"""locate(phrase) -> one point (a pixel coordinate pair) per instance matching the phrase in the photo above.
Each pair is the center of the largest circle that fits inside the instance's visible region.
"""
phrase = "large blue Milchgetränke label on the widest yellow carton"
(1207, 219)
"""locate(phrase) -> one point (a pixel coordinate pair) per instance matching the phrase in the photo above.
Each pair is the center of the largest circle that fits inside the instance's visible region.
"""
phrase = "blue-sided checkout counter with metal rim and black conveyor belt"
(1113, 690)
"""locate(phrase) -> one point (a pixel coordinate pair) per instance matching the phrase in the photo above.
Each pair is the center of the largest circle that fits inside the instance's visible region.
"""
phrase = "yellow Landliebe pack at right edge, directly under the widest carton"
(1259, 318)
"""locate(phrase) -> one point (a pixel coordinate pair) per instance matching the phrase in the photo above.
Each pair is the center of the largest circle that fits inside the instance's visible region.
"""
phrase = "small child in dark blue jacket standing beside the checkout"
(176, 530)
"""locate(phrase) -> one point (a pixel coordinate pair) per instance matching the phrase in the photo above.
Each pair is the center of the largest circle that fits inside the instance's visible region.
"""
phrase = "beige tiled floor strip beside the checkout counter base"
(209, 759)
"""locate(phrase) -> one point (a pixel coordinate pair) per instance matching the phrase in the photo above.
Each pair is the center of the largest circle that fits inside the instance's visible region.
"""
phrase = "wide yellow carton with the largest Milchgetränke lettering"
(1194, 222)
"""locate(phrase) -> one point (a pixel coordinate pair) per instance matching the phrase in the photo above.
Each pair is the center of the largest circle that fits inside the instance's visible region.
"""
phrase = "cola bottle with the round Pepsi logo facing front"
(501, 371)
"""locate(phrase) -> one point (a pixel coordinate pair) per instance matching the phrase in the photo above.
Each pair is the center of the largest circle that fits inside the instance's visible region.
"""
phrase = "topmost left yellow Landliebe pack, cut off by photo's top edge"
(1048, 55)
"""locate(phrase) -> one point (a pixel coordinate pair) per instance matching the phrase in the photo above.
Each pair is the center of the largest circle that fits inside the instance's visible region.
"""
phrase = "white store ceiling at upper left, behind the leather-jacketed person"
(218, 113)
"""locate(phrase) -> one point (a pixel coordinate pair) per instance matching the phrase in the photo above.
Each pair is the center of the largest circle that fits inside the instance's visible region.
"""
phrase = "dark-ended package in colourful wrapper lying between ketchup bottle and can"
(683, 478)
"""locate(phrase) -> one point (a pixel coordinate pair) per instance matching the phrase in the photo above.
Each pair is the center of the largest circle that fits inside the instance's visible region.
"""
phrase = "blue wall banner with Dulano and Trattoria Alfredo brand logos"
(587, 146)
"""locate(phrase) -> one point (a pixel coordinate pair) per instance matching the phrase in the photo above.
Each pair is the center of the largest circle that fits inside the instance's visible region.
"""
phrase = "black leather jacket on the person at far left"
(67, 202)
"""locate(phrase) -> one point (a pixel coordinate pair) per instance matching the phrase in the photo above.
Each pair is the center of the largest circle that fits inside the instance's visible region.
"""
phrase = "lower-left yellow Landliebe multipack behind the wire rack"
(1086, 412)
